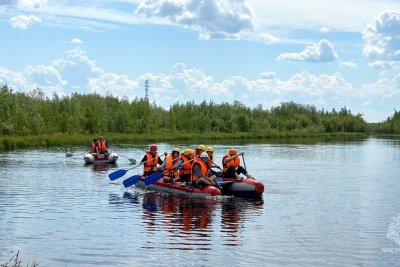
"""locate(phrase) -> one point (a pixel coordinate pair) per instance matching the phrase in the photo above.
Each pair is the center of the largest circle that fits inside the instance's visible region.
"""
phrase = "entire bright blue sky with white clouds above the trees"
(330, 54)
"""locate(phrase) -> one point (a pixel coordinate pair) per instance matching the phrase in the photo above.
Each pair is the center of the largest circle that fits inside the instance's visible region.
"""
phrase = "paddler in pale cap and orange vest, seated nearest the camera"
(201, 172)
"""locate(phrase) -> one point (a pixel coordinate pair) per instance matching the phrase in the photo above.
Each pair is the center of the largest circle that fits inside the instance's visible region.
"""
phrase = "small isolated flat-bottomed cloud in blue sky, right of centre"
(322, 51)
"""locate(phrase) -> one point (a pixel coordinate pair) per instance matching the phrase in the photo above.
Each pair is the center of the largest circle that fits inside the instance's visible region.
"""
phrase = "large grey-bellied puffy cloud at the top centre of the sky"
(214, 19)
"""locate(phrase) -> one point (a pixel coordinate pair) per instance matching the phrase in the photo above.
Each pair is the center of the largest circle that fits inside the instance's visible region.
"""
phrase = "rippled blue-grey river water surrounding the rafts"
(325, 203)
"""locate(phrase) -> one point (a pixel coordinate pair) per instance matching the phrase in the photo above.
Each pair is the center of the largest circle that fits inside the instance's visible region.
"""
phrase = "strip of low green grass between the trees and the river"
(8, 143)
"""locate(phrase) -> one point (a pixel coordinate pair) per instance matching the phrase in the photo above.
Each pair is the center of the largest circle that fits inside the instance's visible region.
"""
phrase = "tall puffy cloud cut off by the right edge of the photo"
(382, 37)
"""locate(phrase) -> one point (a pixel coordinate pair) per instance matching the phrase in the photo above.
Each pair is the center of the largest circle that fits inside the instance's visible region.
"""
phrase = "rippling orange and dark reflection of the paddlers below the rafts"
(190, 223)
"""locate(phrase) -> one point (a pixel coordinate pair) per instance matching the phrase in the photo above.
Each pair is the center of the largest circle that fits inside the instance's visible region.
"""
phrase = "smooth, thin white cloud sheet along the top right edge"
(340, 15)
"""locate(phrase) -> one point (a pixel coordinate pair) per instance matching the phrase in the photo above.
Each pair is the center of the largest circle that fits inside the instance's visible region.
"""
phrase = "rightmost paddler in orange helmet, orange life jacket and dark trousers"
(231, 164)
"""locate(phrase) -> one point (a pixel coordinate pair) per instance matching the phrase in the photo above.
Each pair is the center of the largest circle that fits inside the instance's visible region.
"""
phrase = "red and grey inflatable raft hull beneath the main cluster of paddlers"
(179, 189)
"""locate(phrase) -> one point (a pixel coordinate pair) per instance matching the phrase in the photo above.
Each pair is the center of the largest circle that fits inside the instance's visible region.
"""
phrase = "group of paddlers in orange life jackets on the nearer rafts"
(195, 166)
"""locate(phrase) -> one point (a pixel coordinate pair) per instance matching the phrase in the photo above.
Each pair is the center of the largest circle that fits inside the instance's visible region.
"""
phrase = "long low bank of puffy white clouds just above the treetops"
(76, 72)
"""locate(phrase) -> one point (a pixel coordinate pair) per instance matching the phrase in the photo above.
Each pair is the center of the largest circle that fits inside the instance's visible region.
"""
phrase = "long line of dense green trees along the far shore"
(33, 113)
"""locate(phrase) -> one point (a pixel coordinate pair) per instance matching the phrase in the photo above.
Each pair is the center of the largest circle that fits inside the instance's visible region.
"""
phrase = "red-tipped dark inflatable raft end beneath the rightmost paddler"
(248, 188)
